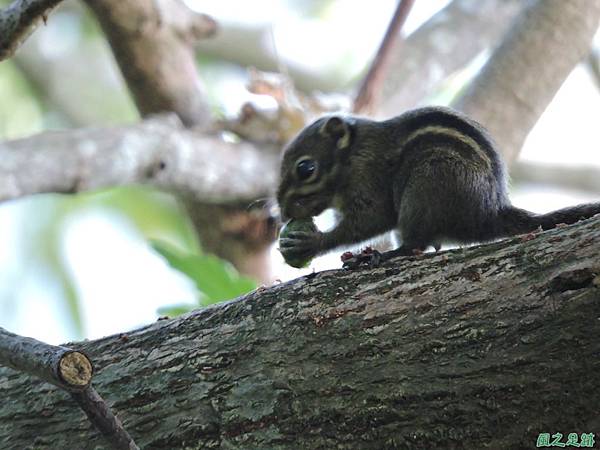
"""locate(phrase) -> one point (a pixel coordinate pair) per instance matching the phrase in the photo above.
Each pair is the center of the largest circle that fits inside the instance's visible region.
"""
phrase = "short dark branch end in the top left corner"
(18, 20)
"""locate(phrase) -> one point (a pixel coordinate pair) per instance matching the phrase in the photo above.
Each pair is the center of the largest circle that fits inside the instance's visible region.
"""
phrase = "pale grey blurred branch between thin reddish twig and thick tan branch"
(444, 44)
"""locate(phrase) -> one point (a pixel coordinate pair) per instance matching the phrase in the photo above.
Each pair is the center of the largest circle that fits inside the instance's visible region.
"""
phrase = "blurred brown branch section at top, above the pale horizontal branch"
(153, 44)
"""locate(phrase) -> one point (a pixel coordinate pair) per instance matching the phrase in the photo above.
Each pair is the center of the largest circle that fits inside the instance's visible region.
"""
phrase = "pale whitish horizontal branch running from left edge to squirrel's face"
(158, 151)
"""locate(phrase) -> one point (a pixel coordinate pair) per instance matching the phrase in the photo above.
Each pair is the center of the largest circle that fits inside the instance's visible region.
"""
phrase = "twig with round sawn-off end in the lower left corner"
(69, 370)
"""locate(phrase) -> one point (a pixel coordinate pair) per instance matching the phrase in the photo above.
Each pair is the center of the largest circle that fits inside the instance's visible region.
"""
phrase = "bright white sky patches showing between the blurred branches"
(124, 291)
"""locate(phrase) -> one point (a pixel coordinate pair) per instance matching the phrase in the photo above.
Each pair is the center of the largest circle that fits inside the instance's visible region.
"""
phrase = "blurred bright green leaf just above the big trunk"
(216, 279)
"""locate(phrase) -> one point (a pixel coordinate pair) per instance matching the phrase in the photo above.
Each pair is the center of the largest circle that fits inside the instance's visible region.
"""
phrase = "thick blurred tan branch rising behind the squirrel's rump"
(525, 71)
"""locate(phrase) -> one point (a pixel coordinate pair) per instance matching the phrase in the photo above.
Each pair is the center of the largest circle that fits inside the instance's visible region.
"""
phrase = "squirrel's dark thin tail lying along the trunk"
(519, 221)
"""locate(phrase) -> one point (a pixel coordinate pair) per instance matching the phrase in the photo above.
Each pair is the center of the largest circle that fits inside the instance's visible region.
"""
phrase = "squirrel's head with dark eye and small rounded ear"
(311, 167)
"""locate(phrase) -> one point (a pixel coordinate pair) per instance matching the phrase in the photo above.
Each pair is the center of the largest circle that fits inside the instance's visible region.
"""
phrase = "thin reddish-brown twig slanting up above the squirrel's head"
(368, 94)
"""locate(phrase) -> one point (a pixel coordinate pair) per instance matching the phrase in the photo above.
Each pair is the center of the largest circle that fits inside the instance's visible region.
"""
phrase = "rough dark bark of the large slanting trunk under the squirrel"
(482, 347)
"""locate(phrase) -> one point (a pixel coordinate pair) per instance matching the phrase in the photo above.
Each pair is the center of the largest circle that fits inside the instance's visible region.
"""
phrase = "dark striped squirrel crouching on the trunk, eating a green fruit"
(432, 174)
